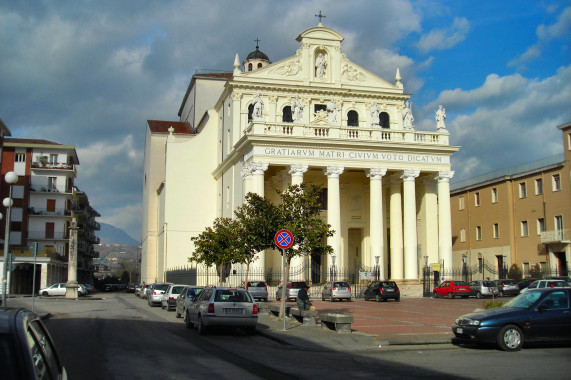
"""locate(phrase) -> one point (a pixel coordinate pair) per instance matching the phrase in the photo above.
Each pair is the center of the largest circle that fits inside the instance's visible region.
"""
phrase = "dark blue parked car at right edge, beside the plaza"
(540, 315)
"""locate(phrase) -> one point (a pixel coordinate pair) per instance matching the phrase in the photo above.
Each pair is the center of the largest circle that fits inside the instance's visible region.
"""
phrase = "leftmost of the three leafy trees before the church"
(218, 245)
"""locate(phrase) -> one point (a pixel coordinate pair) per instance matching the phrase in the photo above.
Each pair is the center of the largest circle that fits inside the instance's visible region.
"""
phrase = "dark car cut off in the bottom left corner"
(28, 350)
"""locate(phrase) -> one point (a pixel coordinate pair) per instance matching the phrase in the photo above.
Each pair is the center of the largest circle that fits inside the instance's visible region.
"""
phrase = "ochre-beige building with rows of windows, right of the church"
(516, 215)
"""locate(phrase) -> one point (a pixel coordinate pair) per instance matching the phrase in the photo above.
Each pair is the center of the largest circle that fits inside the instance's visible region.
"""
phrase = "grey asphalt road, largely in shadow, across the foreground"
(121, 337)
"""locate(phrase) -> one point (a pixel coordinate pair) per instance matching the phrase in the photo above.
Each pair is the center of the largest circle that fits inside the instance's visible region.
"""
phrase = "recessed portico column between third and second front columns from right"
(396, 248)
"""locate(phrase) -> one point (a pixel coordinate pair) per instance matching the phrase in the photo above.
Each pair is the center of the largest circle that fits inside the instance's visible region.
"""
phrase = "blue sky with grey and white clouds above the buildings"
(90, 73)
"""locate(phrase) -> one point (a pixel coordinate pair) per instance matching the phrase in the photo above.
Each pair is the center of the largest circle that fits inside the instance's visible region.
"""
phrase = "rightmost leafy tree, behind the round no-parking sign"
(300, 214)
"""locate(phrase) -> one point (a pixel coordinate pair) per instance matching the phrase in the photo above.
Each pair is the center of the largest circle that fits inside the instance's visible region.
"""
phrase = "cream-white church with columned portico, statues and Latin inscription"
(314, 117)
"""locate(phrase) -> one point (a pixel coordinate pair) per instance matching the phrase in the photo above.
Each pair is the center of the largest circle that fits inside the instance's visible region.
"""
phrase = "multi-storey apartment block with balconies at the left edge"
(45, 200)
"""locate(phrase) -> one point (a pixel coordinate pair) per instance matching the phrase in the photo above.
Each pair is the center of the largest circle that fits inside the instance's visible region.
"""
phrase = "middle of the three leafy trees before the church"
(258, 221)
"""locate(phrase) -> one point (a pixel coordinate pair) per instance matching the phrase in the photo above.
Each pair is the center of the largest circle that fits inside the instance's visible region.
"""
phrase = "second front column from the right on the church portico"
(409, 222)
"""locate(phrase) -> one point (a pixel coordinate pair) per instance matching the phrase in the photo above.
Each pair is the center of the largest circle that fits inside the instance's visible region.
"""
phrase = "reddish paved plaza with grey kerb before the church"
(413, 321)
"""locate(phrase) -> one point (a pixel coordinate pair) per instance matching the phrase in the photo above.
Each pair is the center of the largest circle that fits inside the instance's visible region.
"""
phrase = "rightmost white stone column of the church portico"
(444, 218)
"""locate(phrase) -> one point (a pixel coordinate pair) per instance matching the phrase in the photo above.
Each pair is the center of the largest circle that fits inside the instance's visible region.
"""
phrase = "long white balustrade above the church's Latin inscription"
(347, 133)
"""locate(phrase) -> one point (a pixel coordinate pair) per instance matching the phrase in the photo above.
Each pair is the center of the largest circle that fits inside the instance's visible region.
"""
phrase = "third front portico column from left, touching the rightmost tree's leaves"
(334, 213)
